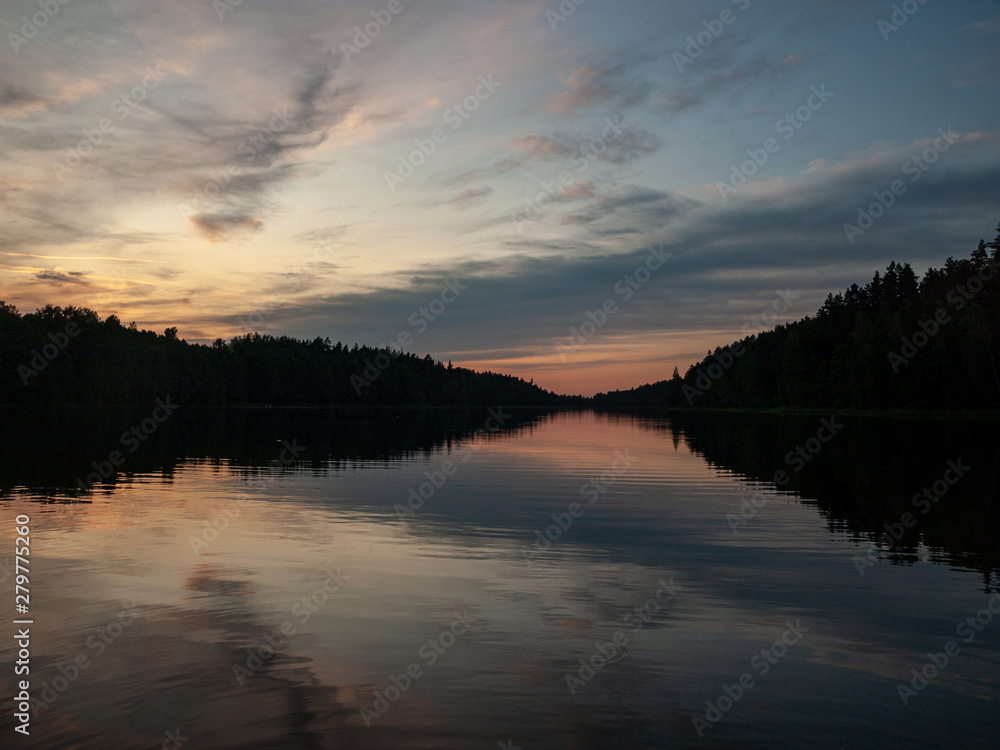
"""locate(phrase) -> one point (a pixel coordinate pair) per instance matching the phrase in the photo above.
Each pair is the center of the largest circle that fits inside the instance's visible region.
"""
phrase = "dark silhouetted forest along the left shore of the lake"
(71, 356)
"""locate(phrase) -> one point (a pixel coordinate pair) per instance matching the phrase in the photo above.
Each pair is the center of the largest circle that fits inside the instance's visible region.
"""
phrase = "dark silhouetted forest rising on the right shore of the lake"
(899, 342)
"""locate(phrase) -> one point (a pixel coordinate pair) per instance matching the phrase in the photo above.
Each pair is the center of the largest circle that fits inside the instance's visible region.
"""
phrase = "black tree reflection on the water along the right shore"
(869, 476)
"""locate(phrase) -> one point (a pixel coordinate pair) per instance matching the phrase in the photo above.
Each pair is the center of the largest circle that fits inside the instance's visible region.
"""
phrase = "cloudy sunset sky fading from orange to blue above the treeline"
(586, 193)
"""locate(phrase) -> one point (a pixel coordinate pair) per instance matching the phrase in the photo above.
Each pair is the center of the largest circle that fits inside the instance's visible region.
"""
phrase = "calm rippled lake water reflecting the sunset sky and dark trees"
(333, 608)
